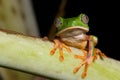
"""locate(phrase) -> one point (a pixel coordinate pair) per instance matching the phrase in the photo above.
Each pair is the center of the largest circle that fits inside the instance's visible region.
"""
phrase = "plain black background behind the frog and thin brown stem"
(104, 20)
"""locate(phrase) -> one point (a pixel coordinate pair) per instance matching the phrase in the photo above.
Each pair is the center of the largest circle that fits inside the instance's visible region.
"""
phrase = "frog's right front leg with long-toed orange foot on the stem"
(92, 54)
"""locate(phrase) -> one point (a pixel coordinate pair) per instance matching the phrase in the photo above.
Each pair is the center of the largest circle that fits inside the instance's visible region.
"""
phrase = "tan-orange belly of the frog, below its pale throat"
(78, 43)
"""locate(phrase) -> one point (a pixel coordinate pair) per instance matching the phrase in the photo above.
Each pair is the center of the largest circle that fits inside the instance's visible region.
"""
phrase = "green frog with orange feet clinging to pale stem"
(72, 32)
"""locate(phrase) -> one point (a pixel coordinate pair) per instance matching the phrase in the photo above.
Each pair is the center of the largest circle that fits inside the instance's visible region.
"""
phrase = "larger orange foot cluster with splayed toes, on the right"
(87, 60)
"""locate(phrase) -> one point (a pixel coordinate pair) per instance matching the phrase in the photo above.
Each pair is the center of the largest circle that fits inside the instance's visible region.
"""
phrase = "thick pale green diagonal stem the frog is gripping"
(31, 55)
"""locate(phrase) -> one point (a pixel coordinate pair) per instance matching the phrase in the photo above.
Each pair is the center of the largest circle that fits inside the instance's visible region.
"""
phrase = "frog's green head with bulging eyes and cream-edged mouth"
(72, 26)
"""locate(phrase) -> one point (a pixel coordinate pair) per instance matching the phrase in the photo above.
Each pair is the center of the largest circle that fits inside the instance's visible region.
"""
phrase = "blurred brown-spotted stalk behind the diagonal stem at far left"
(17, 15)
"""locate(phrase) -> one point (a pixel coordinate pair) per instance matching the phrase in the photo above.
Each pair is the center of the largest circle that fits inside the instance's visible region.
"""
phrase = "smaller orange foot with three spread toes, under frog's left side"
(59, 45)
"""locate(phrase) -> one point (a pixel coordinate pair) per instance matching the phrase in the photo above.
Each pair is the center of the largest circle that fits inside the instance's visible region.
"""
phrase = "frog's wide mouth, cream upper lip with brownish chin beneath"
(72, 31)
